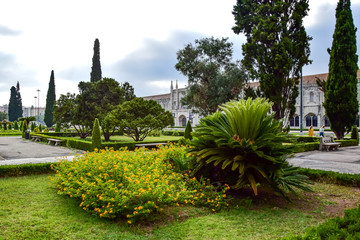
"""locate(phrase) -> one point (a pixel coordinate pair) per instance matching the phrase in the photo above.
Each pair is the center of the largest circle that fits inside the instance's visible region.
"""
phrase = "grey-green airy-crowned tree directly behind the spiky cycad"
(213, 78)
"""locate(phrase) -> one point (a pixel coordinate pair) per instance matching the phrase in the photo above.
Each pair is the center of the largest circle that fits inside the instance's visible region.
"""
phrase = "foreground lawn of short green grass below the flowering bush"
(31, 209)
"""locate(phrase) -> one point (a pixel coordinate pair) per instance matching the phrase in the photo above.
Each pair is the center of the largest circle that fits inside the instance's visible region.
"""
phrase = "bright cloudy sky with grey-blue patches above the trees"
(139, 40)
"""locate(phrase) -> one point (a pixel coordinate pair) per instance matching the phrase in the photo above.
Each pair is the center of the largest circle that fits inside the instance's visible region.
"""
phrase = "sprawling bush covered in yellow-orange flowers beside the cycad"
(133, 184)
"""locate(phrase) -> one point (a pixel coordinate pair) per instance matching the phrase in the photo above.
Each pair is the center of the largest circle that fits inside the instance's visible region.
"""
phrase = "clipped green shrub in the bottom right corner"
(347, 227)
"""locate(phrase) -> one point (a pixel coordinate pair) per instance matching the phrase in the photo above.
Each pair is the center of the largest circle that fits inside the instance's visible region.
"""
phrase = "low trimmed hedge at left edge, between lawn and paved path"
(25, 169)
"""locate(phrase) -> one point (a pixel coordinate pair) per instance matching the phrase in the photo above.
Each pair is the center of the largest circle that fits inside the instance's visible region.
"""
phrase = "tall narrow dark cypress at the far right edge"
(341, 104)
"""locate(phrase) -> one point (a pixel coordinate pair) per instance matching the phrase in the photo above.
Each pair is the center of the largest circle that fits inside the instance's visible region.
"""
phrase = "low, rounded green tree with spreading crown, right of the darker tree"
(138, 117)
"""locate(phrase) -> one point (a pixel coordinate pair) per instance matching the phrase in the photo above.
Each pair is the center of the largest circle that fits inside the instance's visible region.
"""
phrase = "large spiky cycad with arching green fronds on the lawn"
(247, 144)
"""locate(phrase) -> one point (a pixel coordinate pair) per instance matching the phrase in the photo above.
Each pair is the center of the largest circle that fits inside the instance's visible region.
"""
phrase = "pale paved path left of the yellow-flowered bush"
(15, 150)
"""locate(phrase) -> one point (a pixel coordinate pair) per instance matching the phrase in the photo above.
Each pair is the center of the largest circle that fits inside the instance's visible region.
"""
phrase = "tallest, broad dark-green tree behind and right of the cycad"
(277, 48)
